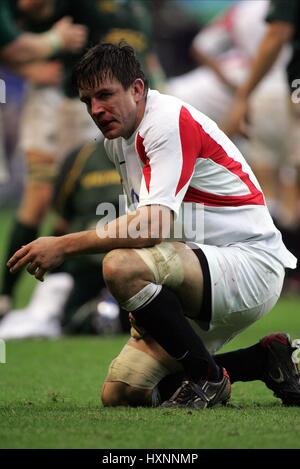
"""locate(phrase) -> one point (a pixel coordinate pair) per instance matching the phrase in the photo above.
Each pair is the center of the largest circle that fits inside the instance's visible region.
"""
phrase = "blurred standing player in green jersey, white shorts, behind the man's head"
(53, 119)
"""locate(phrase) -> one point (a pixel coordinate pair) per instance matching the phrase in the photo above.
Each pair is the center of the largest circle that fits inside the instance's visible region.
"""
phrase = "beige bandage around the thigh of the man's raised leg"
(164, 262)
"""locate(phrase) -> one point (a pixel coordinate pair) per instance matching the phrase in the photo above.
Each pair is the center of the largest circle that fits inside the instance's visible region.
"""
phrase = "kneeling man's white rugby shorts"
(246, 283)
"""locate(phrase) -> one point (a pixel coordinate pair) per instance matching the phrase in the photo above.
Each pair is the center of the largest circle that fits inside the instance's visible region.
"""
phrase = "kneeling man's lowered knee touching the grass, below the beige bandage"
(116, 393)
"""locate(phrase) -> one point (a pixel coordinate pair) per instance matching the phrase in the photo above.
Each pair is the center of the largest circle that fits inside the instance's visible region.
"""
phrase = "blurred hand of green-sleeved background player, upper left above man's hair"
(73, 36)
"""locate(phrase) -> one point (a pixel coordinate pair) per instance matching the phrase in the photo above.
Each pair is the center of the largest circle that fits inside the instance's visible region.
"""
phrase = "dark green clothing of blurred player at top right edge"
(289, 12)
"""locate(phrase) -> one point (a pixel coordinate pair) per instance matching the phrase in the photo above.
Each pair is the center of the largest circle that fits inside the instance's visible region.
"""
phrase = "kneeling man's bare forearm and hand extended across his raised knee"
(47, 253)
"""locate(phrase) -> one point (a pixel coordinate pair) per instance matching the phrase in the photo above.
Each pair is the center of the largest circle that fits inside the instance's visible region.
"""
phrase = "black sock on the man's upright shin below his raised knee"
(163, 318)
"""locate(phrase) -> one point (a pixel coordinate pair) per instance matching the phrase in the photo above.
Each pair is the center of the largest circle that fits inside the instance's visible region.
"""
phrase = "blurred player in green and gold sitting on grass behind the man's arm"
(73, 298)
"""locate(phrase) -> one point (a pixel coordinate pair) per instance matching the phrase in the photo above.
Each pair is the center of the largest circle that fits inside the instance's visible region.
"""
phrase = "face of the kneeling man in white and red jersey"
(116, 112)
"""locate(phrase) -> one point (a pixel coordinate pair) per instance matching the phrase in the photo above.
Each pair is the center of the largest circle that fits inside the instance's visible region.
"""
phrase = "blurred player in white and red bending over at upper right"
(224, 52)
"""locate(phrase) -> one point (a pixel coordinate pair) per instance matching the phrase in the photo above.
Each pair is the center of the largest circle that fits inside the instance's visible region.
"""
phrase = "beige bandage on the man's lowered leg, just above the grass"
(136, 368)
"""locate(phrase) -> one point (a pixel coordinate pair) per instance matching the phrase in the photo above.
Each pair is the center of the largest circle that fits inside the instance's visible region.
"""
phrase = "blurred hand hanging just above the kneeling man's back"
(237, 121)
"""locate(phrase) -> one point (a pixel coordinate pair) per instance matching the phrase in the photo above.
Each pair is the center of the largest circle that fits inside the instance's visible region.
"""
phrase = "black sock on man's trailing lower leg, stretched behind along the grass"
(244, 364)
